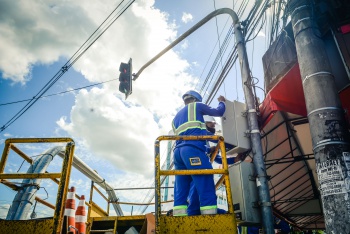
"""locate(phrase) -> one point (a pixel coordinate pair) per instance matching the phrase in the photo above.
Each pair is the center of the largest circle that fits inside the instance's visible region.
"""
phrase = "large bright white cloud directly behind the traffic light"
(124, 132)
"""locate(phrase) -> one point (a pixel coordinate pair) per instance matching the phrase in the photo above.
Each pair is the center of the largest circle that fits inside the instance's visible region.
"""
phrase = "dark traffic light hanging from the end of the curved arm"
(125, 78)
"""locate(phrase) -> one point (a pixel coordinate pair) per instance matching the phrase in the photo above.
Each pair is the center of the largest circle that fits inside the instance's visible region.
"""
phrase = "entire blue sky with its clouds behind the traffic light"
(113, 136)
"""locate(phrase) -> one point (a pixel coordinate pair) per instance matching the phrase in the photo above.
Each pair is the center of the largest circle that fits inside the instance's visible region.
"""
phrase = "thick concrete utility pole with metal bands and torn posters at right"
(326, 117)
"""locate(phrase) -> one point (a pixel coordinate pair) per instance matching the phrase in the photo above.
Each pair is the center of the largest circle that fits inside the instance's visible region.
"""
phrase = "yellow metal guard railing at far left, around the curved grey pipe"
(54, 225)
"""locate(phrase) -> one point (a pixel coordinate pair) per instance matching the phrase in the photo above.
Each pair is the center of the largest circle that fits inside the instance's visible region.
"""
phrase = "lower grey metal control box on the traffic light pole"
(245, 193)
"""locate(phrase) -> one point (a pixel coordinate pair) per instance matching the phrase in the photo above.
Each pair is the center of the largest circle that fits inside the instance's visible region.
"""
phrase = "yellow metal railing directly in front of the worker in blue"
(224, 171)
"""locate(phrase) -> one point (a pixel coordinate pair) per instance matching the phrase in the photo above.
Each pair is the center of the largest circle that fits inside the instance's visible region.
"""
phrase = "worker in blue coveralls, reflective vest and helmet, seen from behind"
(190, 155)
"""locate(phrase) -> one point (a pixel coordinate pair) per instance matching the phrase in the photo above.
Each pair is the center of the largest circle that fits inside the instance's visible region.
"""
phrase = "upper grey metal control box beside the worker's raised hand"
(234, 127)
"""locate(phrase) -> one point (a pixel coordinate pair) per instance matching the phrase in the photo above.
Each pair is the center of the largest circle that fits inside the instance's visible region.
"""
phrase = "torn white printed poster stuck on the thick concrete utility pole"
(331, 178)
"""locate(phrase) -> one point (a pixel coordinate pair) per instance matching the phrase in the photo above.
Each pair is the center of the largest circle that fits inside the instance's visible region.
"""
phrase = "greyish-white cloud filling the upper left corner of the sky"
(33, 32)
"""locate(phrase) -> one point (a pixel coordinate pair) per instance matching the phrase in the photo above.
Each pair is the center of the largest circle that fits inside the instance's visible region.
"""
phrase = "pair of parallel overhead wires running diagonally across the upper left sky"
(87, 44)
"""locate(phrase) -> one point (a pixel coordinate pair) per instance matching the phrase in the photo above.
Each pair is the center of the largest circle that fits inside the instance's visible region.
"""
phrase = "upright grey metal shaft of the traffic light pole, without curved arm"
(255, 138)
